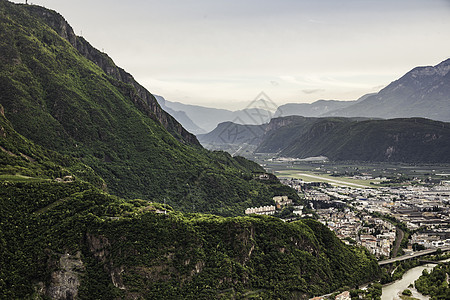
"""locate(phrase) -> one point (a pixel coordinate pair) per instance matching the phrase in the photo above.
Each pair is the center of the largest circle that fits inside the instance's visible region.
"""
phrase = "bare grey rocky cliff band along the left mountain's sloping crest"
(143, 98)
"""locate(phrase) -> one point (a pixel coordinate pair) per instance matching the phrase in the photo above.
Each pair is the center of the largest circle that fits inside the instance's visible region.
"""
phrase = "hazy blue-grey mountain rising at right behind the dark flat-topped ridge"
(422, 92)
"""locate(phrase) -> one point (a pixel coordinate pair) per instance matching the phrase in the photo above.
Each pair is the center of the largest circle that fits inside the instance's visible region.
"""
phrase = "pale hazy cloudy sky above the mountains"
(223, 53)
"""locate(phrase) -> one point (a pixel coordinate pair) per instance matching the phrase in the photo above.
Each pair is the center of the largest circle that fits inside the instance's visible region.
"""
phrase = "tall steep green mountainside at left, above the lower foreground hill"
(75, 101)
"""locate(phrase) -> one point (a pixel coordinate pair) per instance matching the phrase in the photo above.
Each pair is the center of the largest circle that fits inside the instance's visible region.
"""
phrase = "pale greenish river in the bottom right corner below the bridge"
(391, 291)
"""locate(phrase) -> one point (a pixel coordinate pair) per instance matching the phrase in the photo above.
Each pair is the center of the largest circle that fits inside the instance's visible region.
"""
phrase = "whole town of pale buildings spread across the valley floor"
(388, 220)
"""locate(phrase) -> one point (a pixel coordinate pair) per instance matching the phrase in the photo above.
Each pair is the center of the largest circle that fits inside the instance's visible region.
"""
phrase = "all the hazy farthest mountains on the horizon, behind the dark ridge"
(422, 92)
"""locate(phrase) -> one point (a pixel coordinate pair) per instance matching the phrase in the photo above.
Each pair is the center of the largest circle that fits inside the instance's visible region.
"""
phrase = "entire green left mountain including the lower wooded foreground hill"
(103, 194)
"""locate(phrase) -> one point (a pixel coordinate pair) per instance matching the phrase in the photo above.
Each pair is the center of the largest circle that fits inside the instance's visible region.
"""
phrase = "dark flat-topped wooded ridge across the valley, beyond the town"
(396, 140)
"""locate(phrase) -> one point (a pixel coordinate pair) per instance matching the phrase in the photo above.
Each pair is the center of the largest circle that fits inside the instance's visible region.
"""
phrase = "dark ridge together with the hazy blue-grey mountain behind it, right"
(421, 94)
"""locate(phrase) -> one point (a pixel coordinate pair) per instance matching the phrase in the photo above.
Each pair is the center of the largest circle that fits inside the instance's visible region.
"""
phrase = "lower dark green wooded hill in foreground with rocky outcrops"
(72, 240)
